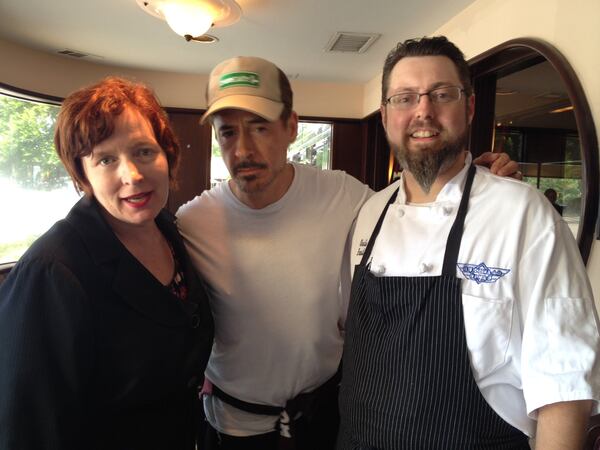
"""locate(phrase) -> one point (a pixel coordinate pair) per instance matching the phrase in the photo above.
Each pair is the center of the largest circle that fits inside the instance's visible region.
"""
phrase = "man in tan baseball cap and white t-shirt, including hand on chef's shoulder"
(271, 242)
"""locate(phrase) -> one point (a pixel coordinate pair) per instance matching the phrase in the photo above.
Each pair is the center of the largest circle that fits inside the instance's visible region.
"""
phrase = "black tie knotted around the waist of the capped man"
(301, 405)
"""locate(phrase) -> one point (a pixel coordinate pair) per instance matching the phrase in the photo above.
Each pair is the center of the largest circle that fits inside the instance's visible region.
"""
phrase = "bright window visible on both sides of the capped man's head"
(312, 147)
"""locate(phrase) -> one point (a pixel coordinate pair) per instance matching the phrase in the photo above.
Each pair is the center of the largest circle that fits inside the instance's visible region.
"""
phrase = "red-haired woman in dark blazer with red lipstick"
(105, 328)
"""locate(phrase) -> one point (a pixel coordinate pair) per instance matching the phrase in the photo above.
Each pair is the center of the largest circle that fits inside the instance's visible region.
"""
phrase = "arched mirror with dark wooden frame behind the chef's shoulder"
(529, 103)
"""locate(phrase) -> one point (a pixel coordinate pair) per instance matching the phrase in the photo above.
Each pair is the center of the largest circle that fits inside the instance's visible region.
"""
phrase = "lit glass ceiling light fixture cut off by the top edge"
(193, 18)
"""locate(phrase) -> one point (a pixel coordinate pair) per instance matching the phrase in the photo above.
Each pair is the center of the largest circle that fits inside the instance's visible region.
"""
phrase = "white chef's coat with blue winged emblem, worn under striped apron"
(530, 321)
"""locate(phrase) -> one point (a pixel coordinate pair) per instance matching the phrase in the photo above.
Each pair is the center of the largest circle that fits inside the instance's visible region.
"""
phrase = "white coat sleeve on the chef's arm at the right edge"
(561, 342)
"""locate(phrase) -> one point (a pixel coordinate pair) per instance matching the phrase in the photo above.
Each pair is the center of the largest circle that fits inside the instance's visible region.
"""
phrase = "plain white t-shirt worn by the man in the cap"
(274, 278)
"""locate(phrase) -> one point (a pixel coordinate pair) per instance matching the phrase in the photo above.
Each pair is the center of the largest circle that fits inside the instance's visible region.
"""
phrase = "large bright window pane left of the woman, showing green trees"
(36, 191)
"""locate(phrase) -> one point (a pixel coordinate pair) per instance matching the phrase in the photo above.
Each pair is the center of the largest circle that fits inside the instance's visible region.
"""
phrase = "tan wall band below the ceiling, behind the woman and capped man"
(59, 75)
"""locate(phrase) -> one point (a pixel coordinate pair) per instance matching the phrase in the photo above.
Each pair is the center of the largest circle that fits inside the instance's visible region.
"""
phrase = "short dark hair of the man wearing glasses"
(427, 46)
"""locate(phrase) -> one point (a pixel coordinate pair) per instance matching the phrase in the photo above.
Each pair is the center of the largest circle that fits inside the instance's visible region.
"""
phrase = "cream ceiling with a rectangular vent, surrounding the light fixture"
(291, 33)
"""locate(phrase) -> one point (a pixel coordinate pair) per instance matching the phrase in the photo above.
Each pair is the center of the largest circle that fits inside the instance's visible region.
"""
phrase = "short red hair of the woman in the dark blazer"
(87, 117)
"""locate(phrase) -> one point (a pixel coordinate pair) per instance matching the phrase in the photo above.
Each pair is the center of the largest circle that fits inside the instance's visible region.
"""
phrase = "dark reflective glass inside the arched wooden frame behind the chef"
(536, 126)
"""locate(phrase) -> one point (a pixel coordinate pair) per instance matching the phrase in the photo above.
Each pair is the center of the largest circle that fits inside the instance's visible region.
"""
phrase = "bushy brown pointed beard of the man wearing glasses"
(428, 162)
